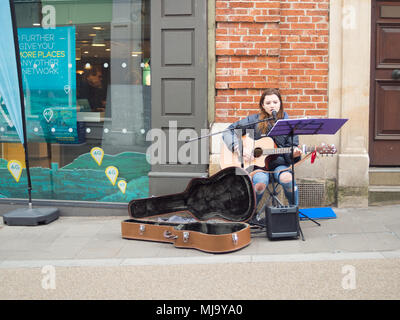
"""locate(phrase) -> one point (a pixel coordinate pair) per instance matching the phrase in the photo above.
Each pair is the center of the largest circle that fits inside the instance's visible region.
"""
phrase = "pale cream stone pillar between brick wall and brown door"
(349, 81)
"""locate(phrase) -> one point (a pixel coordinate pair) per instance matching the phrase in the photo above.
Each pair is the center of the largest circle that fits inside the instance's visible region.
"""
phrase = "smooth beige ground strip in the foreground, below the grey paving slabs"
(279, 280)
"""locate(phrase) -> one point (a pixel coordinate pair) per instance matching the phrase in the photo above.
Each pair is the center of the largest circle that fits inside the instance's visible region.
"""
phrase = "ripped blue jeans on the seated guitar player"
(263, 178)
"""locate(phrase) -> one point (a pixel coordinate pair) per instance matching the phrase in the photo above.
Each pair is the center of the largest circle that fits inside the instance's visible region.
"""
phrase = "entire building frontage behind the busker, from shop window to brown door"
(114, 89)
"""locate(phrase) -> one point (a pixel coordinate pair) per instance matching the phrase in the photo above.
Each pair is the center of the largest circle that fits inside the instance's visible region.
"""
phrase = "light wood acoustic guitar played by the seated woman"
(264, 150)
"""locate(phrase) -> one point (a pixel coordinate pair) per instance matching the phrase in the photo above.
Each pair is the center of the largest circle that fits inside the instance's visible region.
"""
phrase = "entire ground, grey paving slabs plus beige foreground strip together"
(354, 256)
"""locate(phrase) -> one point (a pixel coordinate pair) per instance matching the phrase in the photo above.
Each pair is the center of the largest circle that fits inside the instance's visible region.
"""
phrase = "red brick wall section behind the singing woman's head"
(281, 44)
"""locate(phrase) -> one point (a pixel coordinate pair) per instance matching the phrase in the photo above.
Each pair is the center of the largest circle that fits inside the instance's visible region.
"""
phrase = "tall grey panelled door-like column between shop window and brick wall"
(179, 91)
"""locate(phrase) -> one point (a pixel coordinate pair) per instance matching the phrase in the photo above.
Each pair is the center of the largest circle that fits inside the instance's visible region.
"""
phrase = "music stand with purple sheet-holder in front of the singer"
(293, 127)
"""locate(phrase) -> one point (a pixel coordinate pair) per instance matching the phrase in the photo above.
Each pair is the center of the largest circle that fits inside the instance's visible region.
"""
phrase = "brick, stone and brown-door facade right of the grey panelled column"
(335, 59)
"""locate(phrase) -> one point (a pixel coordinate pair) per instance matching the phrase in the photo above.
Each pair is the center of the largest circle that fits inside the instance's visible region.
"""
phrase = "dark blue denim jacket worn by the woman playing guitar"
(248, 127)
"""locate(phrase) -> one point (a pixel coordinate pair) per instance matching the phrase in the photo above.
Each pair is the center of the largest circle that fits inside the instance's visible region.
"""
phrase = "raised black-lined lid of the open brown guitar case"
(227, 195)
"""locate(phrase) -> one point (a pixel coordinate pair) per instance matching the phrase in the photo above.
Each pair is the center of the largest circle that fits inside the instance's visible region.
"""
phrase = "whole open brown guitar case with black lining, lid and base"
(219, 207)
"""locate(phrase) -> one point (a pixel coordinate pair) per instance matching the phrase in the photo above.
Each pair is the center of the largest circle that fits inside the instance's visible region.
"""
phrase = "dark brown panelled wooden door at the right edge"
(384, 147)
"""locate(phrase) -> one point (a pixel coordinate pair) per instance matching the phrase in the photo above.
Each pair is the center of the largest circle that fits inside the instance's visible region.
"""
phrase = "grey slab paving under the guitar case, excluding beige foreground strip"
(354, 230)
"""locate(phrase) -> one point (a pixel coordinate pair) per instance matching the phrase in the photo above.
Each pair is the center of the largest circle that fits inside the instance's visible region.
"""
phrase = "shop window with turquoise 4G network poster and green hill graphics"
(86, 77)
